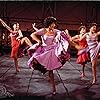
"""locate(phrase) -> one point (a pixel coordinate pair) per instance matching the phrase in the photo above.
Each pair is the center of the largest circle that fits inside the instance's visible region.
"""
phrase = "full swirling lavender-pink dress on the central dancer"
(49, 53)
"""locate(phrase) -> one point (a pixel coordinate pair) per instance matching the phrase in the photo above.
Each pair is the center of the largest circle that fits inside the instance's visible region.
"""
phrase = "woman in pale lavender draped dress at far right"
(94, 47)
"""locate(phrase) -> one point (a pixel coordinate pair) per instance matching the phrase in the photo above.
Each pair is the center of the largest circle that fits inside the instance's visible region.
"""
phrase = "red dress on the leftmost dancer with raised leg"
(15, 44)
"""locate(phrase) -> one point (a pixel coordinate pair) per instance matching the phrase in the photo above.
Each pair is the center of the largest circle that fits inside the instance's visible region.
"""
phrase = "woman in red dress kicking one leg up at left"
(17, 40)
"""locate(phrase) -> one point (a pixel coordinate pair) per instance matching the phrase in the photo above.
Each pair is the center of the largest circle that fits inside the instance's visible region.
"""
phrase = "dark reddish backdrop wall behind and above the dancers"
(69, 14)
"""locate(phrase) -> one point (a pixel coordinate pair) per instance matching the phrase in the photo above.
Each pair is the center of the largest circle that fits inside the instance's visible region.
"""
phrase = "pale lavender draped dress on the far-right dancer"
(93, 46)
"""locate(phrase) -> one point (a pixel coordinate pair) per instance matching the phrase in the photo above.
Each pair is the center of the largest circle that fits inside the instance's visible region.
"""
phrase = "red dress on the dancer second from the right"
(83, 57)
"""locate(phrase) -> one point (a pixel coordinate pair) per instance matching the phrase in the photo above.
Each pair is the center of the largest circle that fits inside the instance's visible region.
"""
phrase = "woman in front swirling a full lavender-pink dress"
(46, 53)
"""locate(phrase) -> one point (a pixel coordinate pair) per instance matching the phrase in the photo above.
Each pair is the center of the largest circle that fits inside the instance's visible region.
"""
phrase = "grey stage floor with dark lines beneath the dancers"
(32, 85)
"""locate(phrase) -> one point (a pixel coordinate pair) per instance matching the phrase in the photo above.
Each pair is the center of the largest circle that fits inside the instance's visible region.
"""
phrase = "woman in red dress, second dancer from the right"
(83, 56)
